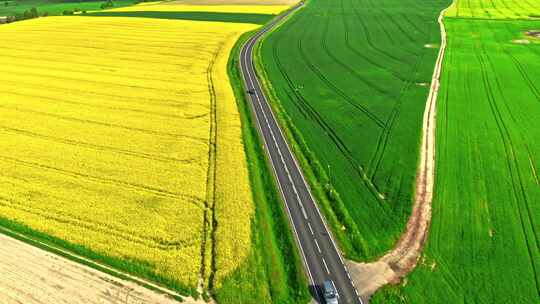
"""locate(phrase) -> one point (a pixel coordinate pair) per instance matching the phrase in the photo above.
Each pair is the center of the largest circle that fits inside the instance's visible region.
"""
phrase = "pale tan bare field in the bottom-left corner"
(33, 276)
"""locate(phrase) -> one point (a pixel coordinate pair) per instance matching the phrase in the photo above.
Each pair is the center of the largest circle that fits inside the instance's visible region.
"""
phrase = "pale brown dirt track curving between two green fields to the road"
(397, 263)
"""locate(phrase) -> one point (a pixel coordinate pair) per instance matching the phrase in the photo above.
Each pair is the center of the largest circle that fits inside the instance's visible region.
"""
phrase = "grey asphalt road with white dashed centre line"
(321, 257)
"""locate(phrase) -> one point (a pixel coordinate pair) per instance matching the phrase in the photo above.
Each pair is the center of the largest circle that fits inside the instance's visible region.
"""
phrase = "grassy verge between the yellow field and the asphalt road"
(273, 273)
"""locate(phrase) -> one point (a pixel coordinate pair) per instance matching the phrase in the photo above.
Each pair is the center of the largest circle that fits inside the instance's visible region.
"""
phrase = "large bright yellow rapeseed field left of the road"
(122, 135)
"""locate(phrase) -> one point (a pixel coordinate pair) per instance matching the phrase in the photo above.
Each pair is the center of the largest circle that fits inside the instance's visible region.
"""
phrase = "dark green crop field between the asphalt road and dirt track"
(352, 77)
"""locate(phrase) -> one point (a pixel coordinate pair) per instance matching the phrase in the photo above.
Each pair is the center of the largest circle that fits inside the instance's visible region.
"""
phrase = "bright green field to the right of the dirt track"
(484, 244)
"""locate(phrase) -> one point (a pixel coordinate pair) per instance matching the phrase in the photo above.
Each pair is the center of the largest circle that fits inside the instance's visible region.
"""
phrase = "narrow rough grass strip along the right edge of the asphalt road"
(326, 196)
